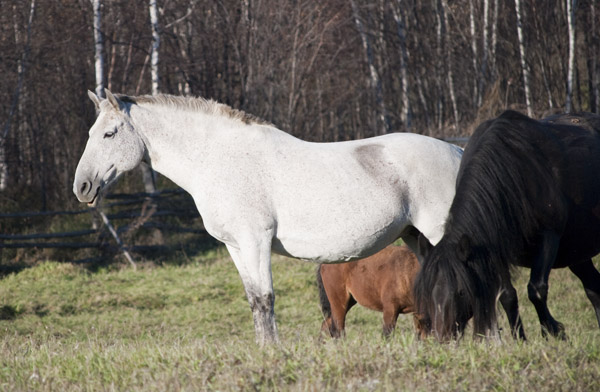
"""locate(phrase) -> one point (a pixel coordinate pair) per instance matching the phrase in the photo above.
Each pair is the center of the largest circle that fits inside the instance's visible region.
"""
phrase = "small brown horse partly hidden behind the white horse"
(382, 282)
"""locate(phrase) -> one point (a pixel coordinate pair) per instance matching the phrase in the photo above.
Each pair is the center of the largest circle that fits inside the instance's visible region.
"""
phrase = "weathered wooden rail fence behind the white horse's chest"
(167, 211)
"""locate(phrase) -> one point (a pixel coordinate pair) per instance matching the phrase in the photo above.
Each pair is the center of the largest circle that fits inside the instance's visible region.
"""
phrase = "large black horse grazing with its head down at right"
(527, 194)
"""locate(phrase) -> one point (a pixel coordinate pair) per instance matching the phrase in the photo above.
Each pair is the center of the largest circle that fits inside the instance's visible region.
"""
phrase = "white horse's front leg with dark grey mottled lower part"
(253, 261)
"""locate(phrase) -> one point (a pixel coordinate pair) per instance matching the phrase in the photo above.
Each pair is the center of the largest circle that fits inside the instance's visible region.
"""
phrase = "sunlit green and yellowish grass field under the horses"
(189, 327)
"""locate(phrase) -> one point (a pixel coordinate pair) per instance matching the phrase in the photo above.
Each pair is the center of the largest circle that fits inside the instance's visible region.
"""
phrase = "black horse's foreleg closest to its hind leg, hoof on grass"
(537, 288)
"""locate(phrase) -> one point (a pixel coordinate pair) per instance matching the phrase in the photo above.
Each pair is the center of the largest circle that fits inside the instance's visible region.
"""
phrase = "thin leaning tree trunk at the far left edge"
(21, 68)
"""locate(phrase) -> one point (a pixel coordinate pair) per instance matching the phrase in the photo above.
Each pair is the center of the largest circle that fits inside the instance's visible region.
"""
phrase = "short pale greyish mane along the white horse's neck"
(199, 104)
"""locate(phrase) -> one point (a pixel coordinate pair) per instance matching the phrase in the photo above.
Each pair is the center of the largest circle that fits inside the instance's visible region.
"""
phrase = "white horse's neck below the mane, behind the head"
(184, 144)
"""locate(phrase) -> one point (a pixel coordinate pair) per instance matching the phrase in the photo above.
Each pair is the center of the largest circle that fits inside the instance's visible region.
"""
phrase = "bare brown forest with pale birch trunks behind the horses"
(323, 71)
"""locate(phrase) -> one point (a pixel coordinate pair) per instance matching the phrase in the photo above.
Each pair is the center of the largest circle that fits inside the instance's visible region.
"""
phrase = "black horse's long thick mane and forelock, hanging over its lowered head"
(494, 217)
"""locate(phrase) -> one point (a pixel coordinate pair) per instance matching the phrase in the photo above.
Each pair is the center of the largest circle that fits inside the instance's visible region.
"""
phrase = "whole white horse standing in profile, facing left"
(259, 189)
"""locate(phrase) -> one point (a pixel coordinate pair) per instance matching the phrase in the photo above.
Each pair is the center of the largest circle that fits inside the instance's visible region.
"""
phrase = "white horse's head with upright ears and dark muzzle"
(113, 148)
